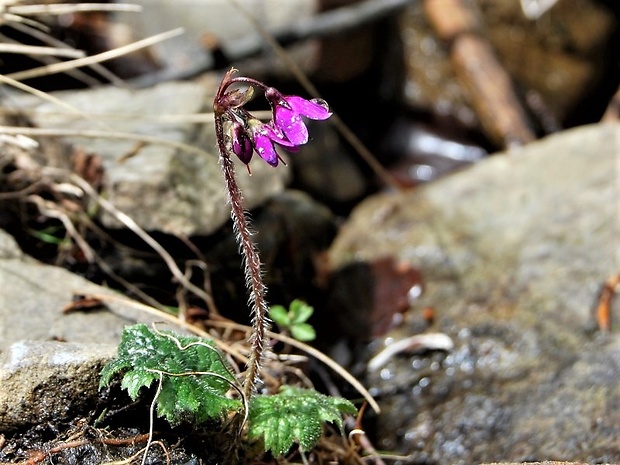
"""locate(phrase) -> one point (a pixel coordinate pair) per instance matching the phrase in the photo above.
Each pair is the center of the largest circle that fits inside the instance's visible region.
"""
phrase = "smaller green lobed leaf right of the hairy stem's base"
(294, 415)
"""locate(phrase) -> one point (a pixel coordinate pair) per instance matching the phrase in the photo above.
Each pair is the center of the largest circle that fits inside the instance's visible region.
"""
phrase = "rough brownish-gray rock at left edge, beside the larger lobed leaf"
(45, 381)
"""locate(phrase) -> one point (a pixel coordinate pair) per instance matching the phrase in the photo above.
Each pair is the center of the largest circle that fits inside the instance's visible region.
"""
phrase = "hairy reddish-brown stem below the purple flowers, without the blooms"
(251, 262)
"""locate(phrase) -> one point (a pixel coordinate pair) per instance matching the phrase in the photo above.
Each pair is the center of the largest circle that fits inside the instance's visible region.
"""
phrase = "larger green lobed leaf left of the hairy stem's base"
(143, 354)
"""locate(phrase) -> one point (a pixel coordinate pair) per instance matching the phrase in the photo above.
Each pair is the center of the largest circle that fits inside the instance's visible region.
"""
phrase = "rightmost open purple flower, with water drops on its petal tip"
(287, 113)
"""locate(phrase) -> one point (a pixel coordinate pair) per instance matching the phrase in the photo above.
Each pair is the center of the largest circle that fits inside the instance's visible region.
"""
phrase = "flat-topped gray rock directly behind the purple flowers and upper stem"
(161, 187)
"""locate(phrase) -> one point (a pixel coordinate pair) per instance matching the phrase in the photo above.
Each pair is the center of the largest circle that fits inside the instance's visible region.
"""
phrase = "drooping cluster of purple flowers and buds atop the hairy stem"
(247, 134)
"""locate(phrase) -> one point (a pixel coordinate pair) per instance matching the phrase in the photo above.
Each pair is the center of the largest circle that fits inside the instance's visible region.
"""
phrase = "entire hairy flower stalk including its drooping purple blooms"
(239, 133)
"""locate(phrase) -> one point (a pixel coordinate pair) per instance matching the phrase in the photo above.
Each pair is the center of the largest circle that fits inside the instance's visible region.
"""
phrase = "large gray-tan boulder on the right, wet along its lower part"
(513, 252)
